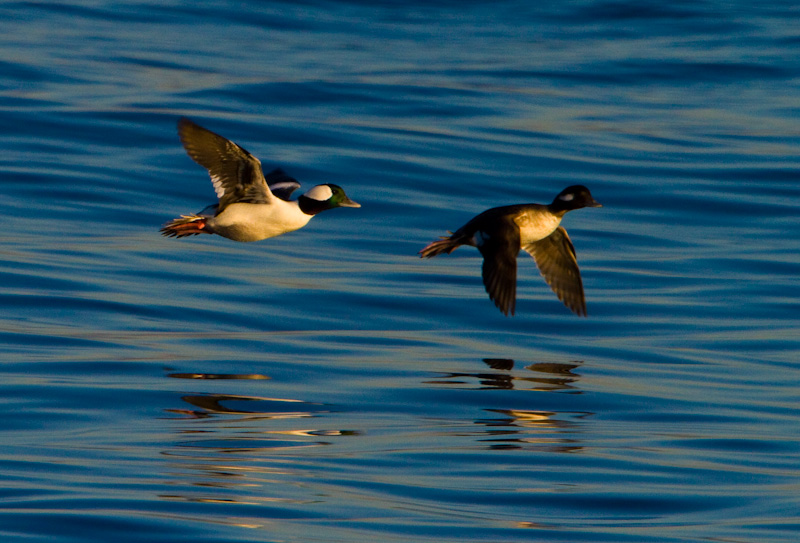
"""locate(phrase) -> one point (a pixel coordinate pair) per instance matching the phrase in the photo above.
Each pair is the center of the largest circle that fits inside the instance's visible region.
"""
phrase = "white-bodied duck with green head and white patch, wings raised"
(251, 206)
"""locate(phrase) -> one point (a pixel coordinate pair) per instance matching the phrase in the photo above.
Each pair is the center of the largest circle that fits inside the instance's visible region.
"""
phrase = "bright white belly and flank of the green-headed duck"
(253, 222)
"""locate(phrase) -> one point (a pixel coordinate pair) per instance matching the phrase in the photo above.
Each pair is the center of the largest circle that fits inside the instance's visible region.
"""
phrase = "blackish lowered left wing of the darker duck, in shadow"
(500, 246)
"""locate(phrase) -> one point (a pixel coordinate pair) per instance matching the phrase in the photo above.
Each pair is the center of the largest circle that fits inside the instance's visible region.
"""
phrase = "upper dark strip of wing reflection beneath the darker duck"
(549, 376)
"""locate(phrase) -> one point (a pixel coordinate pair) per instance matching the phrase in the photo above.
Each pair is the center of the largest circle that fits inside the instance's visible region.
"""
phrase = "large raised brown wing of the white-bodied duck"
(235, 173)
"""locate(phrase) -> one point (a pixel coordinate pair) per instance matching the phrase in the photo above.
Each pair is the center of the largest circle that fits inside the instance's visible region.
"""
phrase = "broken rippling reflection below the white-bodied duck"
(242, 449)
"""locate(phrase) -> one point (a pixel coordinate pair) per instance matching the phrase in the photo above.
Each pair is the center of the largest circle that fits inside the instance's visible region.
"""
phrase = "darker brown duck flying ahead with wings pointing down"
(499, 234)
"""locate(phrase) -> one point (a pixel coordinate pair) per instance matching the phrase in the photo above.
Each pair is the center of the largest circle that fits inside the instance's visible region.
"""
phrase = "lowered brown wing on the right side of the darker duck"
(558, 264)
